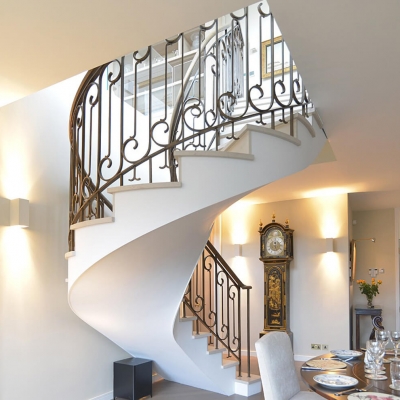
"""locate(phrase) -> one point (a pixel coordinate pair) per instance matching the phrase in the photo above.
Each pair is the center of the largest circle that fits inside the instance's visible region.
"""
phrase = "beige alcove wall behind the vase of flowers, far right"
(378, 224)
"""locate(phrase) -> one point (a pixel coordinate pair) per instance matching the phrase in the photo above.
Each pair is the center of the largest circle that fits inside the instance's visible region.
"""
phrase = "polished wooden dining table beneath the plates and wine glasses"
(354, 368)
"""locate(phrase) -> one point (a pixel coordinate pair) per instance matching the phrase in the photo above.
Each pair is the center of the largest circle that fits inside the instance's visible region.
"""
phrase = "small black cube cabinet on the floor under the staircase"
(132, 378)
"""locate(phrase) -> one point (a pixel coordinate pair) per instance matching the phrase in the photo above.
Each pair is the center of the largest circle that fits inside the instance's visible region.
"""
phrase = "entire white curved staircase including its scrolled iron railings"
(153, 116)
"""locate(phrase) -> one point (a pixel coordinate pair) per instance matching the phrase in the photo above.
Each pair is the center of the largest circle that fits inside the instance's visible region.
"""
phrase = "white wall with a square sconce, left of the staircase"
(46, 352)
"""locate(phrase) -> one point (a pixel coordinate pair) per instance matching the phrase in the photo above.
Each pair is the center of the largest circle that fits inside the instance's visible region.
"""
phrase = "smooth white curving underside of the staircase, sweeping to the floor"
(132, 296)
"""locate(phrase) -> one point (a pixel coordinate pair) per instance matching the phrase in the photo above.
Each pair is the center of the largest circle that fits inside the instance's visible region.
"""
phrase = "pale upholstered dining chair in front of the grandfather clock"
(277, 369)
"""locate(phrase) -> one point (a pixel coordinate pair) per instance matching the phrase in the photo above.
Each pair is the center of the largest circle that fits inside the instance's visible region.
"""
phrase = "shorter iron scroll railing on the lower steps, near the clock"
(217, 297)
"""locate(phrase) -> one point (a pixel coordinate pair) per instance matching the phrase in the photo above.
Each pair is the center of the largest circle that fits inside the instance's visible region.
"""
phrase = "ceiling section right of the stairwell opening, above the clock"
(347, 53)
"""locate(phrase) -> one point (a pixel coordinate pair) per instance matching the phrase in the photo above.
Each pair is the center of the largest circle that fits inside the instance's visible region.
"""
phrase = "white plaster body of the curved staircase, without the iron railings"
(127, 278)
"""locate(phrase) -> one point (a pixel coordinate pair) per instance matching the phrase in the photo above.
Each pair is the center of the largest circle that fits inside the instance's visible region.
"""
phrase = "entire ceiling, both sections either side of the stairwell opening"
(346, 51)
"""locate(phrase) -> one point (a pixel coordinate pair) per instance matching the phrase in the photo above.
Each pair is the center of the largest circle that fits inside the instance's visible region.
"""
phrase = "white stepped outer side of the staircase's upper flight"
(221, 175)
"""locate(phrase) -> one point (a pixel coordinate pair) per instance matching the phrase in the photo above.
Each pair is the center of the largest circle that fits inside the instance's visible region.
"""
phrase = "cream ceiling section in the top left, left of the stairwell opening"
(43, 42)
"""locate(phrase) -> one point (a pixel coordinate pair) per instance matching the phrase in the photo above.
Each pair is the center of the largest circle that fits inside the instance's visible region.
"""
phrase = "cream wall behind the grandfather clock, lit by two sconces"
(319, 281)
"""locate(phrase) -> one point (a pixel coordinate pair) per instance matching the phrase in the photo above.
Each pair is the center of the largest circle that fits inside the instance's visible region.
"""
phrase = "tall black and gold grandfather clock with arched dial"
(276, 252)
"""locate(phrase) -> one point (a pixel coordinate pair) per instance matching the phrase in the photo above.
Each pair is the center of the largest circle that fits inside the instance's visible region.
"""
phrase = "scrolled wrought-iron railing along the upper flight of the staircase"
(194, 91)
